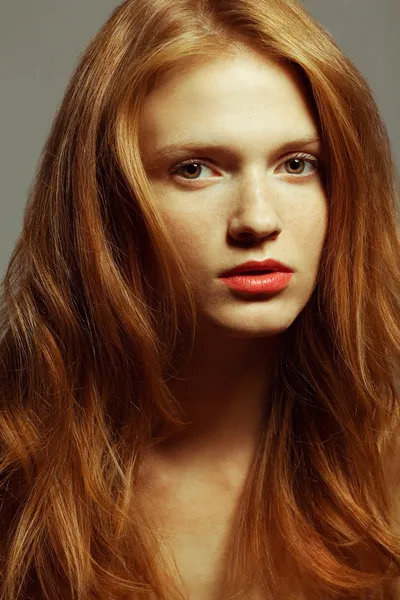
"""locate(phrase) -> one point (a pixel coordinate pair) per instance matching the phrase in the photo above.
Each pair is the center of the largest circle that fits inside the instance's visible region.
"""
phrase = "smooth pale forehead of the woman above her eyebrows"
(243, 99)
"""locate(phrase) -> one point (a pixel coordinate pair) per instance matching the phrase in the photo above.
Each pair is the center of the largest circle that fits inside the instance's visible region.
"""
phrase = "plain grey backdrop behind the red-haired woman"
(41, 41)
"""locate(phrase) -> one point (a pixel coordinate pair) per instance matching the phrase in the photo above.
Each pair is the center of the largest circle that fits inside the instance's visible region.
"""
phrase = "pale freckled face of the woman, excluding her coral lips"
(246, 197)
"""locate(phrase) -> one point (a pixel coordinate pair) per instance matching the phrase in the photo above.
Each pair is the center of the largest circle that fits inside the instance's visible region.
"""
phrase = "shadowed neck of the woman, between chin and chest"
(223, 389)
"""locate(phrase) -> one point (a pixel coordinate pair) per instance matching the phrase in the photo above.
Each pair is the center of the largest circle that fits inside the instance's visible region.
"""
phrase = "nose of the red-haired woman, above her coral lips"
(255, 216)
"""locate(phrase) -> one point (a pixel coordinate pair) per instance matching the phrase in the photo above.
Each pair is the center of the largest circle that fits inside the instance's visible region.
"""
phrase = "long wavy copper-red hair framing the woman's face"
(97, 314)
